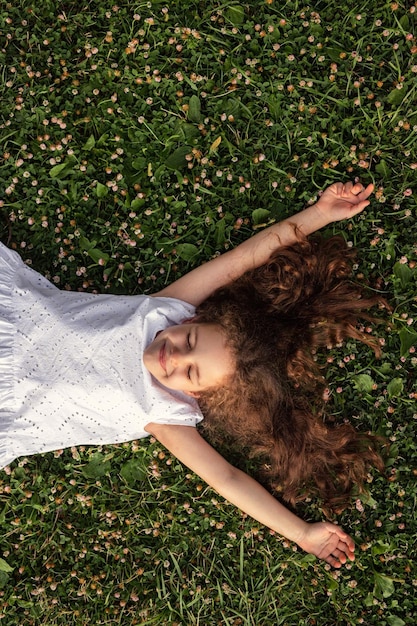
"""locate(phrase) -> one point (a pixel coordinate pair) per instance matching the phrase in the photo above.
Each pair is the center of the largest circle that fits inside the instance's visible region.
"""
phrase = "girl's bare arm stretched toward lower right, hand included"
(325, 540)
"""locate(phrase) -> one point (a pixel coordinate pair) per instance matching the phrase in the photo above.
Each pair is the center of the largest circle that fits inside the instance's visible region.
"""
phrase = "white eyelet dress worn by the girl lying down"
(71, 368)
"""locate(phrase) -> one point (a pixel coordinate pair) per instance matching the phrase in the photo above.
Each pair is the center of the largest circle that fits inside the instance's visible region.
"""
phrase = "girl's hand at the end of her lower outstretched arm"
(328, 542)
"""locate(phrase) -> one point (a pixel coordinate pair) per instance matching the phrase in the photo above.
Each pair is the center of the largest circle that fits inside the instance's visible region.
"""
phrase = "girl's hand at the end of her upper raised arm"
(343, 200)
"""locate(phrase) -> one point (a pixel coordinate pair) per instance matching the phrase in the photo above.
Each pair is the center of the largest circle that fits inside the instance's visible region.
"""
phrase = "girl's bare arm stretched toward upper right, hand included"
(338, 202)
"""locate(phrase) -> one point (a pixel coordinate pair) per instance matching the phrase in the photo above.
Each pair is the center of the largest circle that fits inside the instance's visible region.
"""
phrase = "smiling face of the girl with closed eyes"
(189, 357)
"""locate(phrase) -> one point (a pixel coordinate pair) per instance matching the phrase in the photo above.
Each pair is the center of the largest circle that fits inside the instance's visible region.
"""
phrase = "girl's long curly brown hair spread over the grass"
(274, 319)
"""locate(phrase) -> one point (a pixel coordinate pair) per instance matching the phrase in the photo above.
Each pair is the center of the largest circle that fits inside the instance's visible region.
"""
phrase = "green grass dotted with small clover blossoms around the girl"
(136, 142)
